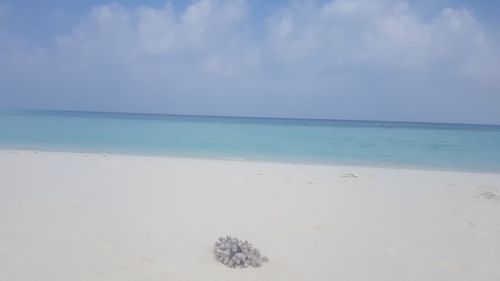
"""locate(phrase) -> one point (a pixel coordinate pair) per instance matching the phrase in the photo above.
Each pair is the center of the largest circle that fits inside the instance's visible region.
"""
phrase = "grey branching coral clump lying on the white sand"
(235, 253)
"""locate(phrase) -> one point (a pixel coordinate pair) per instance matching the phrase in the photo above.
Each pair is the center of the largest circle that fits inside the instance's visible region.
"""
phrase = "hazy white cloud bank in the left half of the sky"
(118, 35)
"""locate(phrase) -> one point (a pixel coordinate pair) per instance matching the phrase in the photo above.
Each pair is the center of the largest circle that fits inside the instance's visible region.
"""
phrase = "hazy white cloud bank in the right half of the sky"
(383, 33)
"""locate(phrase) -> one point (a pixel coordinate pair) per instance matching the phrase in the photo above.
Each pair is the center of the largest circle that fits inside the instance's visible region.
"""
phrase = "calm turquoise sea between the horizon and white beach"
(367, 143)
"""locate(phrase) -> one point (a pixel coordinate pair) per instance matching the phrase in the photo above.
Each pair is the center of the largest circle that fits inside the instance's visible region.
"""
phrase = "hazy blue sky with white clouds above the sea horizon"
(398, 60)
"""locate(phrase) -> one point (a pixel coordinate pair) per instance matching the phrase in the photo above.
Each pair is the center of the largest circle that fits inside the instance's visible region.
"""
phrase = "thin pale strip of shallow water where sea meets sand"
(243, 160)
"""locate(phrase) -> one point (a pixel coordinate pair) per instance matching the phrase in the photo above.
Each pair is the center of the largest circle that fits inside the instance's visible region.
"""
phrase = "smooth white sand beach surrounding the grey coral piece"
(70, 216)
